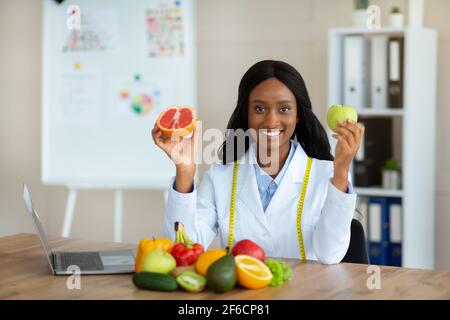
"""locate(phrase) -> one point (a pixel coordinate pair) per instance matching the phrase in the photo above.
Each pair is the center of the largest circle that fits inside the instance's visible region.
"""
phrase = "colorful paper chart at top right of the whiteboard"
(165, 30)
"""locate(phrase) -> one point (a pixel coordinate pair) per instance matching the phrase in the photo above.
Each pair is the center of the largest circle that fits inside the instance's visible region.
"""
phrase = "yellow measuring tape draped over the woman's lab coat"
(301, 201)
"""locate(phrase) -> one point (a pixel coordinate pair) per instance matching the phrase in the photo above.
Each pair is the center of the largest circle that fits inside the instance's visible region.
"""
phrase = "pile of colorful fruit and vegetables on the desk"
(163, 265)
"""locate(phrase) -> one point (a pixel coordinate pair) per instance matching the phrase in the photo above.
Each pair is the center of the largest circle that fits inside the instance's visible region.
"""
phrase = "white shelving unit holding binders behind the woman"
(418, 119)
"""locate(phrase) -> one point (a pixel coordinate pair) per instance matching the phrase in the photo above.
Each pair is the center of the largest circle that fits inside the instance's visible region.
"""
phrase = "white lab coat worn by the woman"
(326, 218)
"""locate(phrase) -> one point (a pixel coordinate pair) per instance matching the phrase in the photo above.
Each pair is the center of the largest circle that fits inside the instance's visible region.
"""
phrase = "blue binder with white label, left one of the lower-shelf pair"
(379, 231)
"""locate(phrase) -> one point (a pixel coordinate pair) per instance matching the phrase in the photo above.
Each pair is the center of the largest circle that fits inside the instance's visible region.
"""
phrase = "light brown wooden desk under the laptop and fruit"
(25, 274)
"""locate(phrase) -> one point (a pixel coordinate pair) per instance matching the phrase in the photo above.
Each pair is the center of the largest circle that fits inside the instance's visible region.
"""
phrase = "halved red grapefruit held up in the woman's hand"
(178, 121)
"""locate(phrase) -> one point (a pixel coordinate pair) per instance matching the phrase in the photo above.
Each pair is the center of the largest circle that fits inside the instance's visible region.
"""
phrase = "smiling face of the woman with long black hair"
(272, 112)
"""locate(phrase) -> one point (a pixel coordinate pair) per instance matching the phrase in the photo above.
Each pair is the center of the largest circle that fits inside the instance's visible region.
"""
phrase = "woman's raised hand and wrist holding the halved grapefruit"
(182, 151)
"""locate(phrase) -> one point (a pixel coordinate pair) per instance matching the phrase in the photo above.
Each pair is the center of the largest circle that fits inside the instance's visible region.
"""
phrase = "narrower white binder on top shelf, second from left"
(379, 72)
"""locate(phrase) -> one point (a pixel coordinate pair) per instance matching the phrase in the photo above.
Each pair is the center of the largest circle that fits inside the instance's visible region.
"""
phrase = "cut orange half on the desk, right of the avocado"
(252, 273)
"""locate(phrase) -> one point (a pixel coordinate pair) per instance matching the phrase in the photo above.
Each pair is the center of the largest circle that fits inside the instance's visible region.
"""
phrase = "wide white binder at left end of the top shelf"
(356, 58)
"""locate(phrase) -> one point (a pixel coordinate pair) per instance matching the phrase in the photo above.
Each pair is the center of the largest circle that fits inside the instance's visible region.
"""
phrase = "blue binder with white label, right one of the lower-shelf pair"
(395, 232)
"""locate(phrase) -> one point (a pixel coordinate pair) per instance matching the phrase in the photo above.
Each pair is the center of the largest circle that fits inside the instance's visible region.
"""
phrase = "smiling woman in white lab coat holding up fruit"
(302, 206)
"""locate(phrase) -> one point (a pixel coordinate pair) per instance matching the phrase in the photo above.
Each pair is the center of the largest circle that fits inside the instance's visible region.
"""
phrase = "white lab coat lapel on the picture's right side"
(290, 185)
